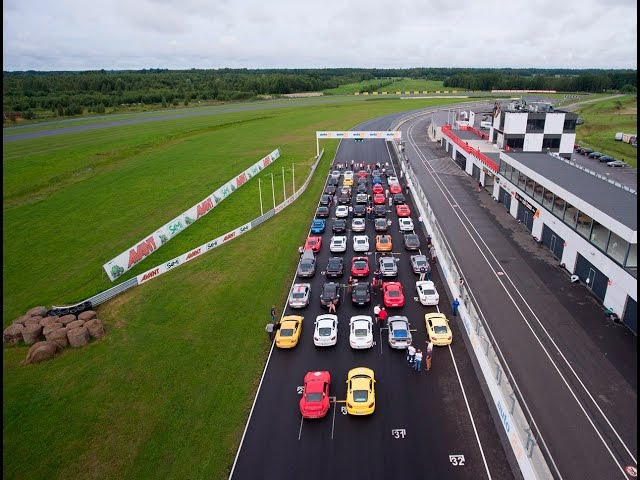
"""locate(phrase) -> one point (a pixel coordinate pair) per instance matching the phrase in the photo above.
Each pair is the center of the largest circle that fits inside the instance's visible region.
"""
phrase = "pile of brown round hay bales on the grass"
(48, 335)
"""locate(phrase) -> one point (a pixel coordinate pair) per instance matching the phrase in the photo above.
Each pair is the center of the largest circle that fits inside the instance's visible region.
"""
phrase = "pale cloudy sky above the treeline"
(181, 34)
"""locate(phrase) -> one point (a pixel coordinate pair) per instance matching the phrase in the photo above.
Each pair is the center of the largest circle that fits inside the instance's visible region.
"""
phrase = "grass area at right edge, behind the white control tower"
(602, 120)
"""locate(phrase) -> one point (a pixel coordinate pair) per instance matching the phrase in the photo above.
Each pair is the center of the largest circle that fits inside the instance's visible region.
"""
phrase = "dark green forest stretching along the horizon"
(33, 94)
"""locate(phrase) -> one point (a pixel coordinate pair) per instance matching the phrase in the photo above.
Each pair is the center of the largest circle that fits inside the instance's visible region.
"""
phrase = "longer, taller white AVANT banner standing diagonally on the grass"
(133, 255)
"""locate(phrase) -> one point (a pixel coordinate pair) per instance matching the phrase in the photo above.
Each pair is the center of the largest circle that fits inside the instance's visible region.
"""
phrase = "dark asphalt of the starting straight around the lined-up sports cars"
(435, 421)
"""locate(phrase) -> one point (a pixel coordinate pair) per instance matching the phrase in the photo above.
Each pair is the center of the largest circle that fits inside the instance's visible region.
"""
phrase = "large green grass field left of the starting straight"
(166, 393)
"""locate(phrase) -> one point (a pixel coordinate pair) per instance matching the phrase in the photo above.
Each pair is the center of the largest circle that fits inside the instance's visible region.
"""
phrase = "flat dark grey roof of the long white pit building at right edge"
(618, 203)
